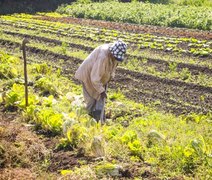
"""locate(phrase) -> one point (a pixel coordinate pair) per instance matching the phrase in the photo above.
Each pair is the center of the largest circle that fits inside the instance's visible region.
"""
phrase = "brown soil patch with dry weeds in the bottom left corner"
(23, 153)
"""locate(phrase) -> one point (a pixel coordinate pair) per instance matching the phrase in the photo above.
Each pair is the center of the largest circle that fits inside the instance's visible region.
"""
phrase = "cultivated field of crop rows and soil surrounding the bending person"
(165, 84)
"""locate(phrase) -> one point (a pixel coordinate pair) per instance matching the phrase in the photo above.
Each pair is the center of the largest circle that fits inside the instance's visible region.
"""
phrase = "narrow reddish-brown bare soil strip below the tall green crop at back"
(156, 30)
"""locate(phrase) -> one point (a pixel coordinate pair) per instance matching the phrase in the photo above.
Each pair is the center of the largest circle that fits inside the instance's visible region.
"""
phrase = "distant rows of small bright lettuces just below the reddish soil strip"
(139, 41)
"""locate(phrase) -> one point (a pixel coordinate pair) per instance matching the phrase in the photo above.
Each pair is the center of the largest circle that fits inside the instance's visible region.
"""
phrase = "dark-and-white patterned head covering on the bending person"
(118, 50)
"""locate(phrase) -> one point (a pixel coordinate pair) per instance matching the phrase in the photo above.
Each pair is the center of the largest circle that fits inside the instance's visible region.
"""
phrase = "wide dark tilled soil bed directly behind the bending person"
(169, 95)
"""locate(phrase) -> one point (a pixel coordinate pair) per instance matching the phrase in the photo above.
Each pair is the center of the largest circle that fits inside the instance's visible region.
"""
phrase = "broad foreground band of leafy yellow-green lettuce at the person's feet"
(133, 133)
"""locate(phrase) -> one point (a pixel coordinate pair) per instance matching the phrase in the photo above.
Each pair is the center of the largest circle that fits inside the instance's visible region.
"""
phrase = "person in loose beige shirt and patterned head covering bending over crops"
(96, 71)
